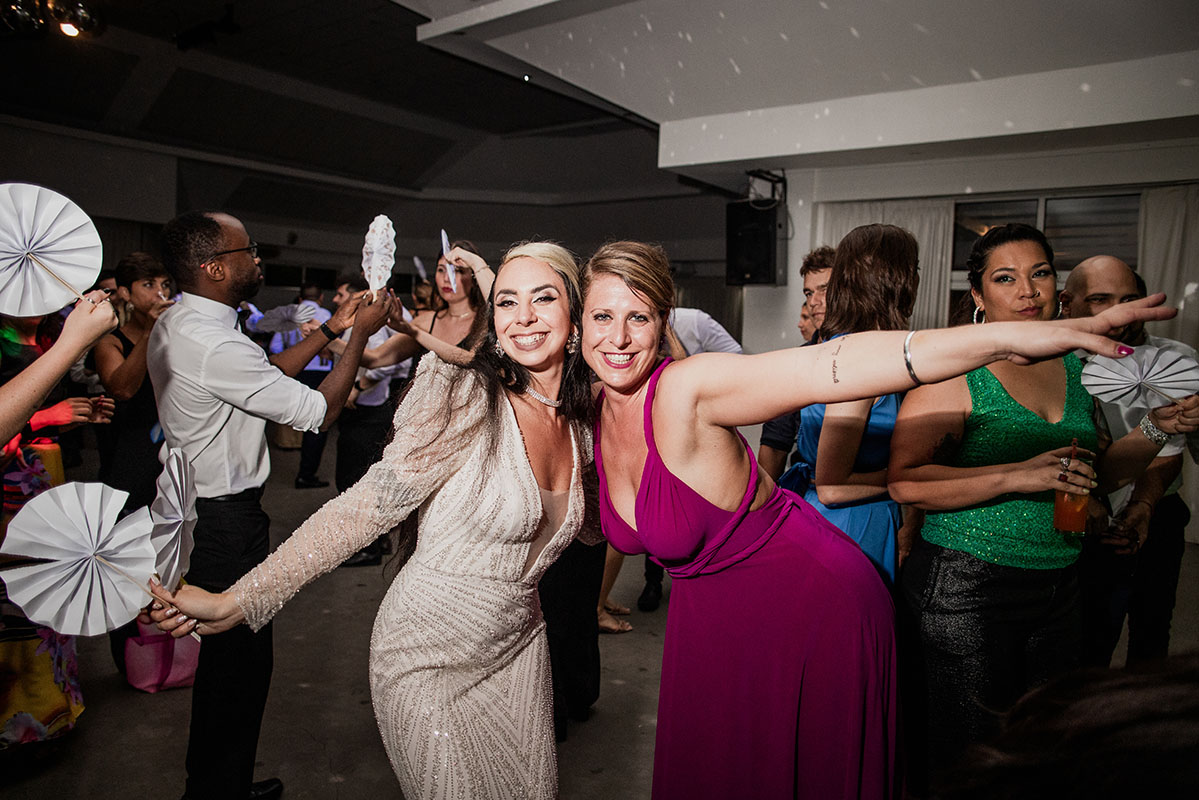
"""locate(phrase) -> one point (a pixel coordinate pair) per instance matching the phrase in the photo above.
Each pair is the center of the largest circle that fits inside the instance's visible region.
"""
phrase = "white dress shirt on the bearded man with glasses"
(215, 392)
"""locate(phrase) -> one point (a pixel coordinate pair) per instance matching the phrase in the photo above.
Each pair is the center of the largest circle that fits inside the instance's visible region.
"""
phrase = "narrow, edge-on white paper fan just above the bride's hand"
(173, 514)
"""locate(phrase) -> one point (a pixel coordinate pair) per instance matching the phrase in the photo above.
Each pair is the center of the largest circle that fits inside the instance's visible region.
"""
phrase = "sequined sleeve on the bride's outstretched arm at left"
(421, 458)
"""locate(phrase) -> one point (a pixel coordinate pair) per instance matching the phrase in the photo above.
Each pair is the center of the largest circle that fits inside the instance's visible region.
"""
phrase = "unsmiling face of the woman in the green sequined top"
(1019, 284)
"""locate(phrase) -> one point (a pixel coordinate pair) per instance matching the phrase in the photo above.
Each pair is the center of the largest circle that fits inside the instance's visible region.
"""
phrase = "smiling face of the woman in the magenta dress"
(622, 332)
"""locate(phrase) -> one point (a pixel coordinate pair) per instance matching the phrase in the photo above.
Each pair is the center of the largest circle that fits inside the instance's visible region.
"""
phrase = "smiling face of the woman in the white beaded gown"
(533, 314)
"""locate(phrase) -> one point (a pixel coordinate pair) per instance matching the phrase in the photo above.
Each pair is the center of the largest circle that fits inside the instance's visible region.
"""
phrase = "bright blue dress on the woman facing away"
(873, 525)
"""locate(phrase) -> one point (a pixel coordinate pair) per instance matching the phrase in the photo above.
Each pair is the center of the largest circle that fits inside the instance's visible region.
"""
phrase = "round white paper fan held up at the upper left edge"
(50, 251)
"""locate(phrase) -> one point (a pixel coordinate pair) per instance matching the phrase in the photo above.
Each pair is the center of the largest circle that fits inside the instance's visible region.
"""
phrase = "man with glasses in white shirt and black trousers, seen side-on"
(215, 392)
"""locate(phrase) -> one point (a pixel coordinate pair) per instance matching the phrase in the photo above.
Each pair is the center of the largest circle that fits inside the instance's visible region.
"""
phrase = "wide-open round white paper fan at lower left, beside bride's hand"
(92, 572)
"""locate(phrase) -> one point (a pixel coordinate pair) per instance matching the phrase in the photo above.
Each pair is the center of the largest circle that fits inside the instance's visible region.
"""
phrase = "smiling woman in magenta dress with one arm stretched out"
(779, 677)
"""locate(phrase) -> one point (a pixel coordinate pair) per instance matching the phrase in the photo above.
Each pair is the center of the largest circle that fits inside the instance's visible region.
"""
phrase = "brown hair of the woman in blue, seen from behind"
(873, 281)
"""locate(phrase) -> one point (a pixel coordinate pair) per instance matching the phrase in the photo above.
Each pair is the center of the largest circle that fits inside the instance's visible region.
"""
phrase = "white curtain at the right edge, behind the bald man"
(1168, 260)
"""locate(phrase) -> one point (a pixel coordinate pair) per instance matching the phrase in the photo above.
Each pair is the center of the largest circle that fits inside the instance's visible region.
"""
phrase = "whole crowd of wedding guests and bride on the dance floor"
(852, 619)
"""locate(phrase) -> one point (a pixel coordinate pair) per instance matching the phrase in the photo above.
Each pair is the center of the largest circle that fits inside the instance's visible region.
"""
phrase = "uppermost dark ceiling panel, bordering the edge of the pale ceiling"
(361, 47)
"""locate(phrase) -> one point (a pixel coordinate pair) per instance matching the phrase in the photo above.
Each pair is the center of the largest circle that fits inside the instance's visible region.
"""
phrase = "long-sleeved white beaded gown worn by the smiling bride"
(460, 669)
